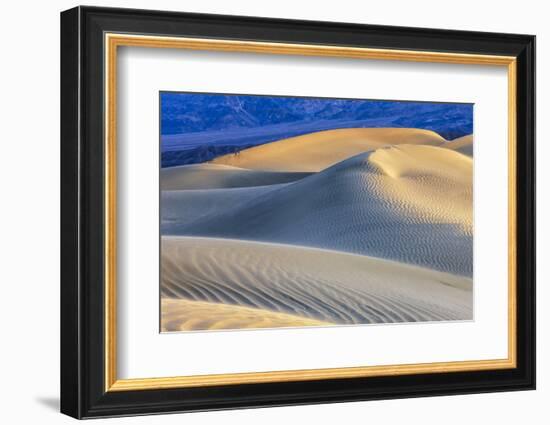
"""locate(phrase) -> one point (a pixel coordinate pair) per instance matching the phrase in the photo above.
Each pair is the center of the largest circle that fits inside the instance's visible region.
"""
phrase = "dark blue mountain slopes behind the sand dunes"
(199, 127)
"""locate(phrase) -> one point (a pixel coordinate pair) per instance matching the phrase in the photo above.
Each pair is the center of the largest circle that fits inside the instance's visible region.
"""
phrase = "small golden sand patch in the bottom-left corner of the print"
(186, 315)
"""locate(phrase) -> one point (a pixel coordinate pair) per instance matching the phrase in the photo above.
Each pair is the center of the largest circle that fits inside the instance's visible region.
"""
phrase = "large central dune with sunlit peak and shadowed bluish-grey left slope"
(407, 203)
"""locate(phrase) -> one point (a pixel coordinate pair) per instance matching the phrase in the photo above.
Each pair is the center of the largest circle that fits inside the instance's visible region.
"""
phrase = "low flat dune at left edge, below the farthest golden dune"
(210, 176)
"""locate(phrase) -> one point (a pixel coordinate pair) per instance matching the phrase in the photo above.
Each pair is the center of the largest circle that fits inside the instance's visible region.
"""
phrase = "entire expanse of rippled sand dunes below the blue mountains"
(336, 227)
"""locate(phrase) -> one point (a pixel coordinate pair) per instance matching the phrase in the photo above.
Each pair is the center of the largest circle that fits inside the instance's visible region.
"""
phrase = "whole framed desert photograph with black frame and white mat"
(261, 212)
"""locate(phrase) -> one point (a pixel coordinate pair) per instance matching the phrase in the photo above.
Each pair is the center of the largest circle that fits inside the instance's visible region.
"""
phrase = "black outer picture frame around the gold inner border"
(83, 392)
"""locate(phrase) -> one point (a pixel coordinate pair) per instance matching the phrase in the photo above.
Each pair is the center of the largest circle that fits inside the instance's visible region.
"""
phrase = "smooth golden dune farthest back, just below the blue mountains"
(317, 151)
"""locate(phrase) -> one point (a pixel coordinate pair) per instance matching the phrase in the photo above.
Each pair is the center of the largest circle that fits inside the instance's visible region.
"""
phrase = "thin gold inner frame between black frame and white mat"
(113, 41)
